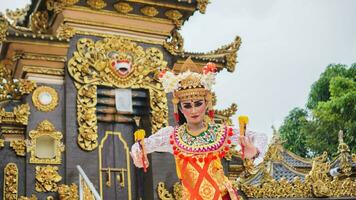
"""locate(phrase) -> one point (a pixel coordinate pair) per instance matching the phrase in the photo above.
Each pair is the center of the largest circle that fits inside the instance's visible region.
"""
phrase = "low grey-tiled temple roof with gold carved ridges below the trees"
(283, 174)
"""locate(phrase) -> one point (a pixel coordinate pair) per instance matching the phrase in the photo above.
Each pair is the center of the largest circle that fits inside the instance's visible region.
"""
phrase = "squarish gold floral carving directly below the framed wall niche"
(47, 178)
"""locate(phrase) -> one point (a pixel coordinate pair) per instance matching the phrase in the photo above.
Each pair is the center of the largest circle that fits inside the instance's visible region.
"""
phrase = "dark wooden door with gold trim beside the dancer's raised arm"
(117, 174)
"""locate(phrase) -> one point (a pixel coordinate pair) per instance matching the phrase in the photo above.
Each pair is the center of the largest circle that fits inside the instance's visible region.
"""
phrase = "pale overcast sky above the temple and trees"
(286, 45)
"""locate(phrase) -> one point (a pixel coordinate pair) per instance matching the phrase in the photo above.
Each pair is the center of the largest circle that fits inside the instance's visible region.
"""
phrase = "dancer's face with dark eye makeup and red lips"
(193, 110)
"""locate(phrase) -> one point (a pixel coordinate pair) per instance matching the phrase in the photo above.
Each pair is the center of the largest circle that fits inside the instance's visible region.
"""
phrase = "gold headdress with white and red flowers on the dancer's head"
(191, 83)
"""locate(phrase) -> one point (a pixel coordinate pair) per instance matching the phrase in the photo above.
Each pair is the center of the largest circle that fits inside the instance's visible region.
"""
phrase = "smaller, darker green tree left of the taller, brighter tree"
(292, 131)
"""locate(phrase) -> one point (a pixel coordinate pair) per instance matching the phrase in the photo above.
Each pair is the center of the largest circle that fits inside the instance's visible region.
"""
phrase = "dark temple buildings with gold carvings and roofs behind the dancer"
(79, 77)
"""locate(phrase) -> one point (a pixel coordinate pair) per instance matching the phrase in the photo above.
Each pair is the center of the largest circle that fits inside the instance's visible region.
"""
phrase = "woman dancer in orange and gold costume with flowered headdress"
(197, 143)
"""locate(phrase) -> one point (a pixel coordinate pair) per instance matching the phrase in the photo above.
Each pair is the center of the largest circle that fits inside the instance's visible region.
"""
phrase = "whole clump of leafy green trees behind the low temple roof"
(332, 107)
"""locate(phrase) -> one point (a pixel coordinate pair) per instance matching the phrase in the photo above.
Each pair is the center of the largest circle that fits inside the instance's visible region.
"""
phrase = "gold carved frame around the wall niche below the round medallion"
(46, 128)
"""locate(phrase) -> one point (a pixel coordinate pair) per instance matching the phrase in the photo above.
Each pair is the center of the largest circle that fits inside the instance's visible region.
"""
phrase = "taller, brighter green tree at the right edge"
(338, 113)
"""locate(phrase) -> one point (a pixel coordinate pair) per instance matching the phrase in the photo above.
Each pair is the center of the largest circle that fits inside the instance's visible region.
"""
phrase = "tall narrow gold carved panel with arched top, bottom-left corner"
(11, 175)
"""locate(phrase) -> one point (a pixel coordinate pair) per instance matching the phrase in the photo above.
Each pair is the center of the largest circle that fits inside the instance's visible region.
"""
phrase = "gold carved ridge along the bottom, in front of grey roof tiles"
(317, 183)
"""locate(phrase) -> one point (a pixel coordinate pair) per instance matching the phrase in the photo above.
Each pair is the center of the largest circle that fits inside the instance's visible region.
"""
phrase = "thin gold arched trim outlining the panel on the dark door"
(101, 146)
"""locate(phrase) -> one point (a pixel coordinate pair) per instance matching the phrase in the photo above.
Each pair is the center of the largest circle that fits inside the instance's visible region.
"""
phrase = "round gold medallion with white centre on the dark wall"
(45, 98)
